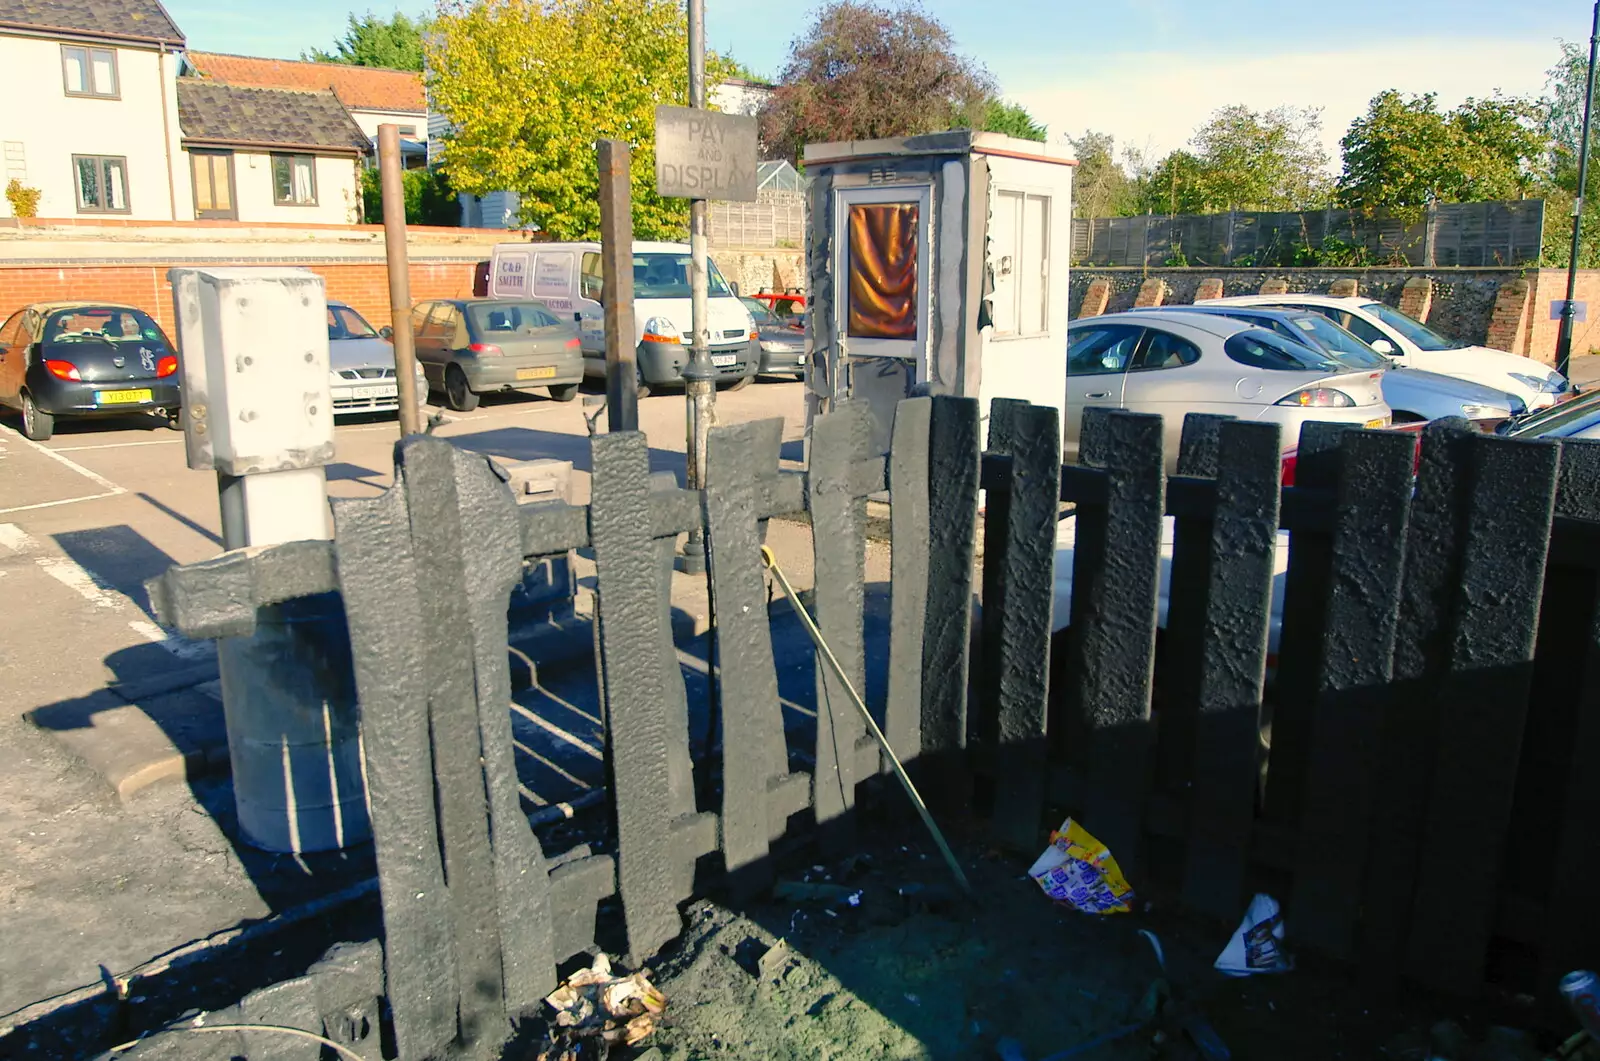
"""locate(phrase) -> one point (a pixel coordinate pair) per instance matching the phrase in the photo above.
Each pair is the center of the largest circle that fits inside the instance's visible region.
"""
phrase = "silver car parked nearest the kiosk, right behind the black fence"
(1177, 364)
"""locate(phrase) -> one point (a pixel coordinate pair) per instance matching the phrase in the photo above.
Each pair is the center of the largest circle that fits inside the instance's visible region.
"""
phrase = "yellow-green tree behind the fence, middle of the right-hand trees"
(1242, 159)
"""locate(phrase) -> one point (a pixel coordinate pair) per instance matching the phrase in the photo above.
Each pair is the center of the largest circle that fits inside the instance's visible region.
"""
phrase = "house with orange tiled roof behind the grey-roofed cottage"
(372, 95)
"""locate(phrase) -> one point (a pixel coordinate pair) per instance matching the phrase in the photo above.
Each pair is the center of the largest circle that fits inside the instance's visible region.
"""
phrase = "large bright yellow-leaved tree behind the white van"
(530, 86)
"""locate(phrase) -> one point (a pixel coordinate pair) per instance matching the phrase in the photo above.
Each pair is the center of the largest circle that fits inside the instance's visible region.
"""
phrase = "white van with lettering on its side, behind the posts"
(567, 278)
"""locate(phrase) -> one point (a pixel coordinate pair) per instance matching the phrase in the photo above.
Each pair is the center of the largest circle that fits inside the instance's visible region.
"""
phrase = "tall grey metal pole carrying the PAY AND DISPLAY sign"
(700, 377)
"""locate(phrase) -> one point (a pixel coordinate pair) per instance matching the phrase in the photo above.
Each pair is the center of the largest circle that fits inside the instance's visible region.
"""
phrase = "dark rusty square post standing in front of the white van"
(617, 266)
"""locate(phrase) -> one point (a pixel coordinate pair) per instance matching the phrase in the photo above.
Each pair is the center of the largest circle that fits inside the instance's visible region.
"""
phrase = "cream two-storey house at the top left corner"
(90, 118)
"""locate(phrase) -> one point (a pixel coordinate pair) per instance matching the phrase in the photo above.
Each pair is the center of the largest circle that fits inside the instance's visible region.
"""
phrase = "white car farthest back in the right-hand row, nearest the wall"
(1414, 345)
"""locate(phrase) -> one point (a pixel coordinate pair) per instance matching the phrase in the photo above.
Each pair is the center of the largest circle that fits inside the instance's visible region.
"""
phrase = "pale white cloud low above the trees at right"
(1156, 100)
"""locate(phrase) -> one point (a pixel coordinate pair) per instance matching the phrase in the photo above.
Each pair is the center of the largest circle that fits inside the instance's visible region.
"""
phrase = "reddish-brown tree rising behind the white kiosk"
(868, 71)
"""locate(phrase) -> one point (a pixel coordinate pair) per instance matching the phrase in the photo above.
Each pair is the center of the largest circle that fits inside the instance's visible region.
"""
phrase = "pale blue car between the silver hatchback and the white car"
(1412, 393)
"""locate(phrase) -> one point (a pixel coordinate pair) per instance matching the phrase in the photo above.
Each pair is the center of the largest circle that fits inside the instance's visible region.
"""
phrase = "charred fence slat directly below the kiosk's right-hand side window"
(1023, 625)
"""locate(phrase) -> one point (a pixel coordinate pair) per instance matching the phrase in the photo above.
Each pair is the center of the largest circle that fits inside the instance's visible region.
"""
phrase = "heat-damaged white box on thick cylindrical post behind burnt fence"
(260, 412)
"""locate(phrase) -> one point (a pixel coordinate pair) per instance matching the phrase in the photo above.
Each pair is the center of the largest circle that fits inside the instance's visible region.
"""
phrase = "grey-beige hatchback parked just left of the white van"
(470, 348)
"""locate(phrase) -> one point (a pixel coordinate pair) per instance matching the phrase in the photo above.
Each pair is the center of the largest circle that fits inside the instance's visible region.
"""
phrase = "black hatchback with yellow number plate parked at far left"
(86, 359)
